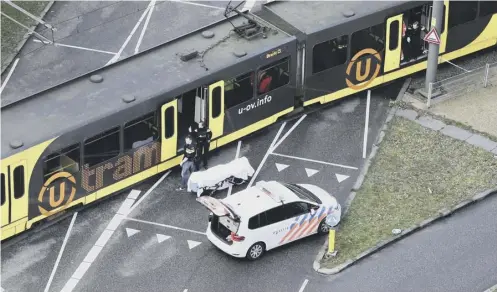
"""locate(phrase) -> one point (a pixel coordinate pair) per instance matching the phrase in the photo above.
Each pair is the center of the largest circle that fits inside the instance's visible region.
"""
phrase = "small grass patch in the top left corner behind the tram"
(12, 33)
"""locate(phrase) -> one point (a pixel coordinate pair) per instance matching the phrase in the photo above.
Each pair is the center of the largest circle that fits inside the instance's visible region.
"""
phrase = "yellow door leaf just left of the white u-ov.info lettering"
(216, 110)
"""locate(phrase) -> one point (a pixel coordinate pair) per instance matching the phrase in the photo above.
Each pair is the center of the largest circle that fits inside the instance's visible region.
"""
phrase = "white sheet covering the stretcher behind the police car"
(239, 168)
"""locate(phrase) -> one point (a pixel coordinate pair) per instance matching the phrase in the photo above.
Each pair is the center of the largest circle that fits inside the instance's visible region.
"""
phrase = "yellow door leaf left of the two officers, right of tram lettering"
(169, 126)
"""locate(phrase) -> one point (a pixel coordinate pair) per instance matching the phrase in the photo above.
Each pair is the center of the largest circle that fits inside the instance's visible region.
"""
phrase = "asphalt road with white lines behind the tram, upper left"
(97, 31)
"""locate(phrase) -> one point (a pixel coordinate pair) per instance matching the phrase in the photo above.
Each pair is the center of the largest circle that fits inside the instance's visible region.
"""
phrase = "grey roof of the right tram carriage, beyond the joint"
(312, 16)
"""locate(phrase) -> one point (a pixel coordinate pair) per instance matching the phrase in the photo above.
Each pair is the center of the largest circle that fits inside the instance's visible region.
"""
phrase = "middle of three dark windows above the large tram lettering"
(102, 147)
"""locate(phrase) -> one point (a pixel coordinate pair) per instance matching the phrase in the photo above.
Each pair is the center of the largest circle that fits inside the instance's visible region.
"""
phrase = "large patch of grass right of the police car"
(415, 173)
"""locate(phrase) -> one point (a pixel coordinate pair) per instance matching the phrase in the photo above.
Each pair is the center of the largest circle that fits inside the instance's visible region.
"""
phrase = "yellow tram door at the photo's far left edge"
(14, 200)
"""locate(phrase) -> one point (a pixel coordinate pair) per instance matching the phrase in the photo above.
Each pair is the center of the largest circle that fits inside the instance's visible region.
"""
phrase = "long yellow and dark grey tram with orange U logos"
(103, 132)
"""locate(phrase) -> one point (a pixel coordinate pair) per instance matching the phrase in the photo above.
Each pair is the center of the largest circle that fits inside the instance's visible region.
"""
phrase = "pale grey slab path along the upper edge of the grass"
(449, 130)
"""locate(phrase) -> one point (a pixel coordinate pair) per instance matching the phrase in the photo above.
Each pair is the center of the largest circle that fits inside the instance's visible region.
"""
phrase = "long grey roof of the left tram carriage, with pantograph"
(145, 76)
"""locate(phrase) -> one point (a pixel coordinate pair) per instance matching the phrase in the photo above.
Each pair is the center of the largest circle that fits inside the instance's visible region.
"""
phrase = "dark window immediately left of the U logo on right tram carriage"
(329, 54)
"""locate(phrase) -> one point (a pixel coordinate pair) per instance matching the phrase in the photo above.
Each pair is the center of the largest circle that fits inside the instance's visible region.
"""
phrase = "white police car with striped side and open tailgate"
(268, 215)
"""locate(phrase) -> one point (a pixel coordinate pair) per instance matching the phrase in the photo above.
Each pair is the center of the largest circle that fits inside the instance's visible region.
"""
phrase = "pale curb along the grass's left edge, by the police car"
(379, 138)
